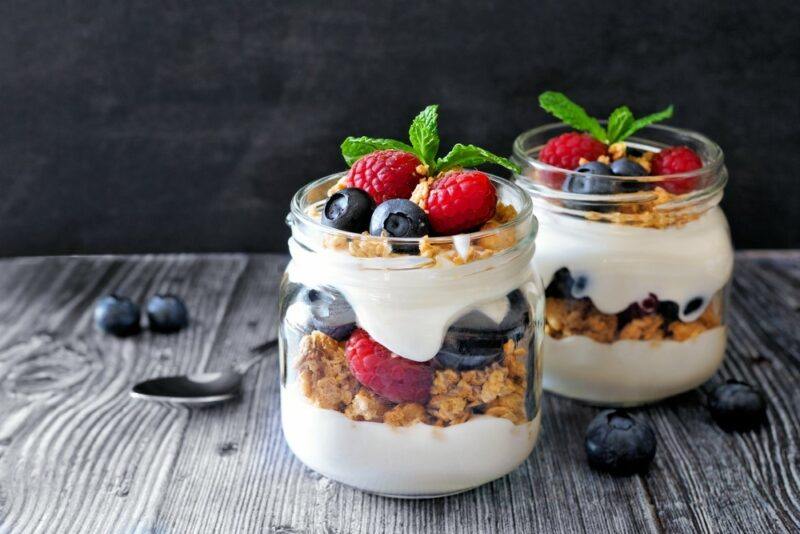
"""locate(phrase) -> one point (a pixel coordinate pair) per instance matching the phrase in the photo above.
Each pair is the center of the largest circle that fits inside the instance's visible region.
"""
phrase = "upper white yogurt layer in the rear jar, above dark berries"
(624, 264)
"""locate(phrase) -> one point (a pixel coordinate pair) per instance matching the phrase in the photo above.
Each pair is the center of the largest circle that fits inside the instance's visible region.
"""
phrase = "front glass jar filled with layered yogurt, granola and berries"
(450, 398)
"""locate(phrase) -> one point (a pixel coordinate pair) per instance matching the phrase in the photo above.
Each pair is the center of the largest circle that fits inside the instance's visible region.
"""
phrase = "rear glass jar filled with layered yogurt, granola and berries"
(636, 280)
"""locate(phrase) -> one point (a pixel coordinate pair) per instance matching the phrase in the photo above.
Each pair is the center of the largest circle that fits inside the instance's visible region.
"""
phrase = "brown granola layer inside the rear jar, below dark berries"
(579, 317)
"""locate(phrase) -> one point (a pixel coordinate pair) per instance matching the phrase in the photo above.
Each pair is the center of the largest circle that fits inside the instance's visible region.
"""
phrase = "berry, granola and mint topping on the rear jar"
(600, 172)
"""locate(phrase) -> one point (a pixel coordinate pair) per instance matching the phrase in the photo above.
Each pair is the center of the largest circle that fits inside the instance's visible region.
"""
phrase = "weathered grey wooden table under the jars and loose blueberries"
(77, 455)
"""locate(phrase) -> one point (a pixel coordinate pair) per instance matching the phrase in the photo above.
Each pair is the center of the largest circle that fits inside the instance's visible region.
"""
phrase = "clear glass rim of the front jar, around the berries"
(300, 204)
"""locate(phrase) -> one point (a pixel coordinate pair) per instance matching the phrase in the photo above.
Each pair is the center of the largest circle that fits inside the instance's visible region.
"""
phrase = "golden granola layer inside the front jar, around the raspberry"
(498, 390)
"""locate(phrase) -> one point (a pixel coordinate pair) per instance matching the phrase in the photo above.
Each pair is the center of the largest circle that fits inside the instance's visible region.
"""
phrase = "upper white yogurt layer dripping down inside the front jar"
(409, 309)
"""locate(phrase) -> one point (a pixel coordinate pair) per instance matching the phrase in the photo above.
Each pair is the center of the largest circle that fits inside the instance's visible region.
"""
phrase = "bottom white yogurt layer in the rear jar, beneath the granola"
(630, 372)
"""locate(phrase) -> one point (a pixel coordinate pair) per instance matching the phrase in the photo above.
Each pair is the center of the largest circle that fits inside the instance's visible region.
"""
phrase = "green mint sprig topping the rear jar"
(621, 123)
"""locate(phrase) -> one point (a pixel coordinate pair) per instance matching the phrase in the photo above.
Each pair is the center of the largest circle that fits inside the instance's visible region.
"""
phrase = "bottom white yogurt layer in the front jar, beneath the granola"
(415, 461)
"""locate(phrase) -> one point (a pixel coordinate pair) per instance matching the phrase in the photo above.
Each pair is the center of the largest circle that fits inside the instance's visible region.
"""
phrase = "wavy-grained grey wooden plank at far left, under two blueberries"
(79, 455)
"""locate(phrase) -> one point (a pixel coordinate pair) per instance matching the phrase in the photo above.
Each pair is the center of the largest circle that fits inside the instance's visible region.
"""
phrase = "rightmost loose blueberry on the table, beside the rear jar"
(737, 406)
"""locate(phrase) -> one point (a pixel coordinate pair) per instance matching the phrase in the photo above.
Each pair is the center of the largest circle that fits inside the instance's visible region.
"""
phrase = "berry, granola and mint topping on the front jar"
(399, 190)
